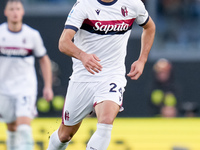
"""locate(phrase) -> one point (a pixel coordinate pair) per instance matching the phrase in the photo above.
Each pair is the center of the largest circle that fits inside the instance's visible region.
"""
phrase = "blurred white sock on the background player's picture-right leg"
(25, 135)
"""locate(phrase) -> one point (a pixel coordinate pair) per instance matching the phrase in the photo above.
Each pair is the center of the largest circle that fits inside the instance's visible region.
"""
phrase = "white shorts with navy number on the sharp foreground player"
(82, 97)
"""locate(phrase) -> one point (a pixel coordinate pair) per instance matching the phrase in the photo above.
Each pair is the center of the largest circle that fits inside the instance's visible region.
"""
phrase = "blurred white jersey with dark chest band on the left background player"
(17, 62)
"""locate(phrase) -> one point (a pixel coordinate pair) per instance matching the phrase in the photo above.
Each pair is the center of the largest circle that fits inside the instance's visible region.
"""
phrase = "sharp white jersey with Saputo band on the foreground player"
(103, 29)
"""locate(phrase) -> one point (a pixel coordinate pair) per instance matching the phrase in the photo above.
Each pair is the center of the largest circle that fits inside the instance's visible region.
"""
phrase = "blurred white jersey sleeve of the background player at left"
(39, 48)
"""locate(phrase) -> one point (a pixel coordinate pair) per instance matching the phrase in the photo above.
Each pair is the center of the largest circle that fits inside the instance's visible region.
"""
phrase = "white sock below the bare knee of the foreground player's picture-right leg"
(101, 138)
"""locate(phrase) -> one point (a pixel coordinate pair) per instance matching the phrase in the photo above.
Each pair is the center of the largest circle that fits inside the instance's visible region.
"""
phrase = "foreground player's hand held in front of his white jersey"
(91, 62)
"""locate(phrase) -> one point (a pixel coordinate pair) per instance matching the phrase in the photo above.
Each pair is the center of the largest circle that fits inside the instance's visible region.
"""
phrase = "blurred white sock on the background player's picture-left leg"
(12, 140)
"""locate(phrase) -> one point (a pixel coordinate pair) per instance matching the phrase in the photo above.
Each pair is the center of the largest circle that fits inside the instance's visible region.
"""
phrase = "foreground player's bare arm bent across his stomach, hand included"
(66, 46)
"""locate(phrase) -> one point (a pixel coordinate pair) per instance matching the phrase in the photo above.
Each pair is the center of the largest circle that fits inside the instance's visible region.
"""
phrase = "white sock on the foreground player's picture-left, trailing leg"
(55, 143)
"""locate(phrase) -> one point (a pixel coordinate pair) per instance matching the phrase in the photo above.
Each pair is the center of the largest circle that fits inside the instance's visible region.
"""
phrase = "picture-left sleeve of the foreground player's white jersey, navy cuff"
(76, 16)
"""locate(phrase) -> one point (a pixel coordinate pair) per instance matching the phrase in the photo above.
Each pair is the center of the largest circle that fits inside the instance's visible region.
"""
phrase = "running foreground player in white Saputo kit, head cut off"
(100, 29)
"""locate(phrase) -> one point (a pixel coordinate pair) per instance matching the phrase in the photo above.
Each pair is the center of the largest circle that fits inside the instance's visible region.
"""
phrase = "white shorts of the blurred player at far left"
(20, 106)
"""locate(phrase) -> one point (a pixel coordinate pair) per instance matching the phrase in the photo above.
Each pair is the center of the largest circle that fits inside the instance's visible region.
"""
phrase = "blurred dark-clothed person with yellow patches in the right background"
(163, 90)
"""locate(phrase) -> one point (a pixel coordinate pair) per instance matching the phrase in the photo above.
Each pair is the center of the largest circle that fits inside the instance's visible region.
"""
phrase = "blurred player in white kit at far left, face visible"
(19, 44)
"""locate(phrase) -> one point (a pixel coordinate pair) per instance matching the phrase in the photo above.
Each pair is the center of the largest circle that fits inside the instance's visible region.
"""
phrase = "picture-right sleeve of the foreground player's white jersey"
(142, 14)
